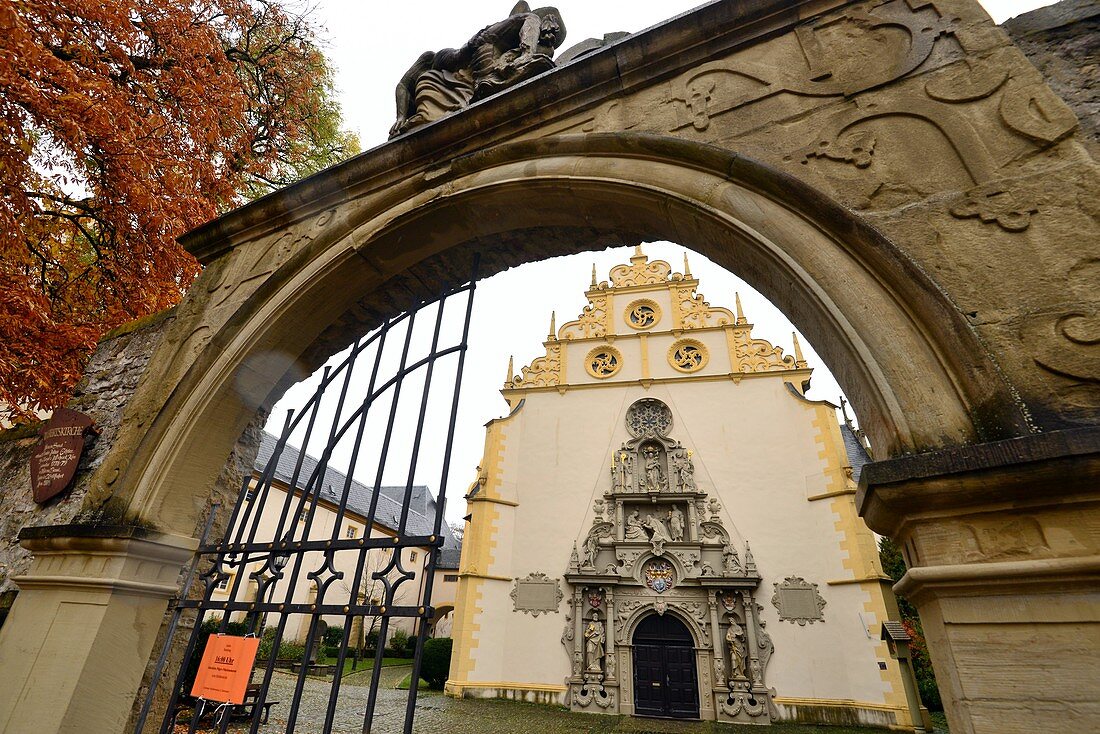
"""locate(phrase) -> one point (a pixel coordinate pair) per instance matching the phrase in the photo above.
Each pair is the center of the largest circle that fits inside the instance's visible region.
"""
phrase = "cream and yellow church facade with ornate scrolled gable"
(665, 525)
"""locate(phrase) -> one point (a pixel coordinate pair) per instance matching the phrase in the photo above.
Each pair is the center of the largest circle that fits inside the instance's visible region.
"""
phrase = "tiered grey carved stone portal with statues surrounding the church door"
(650, 546)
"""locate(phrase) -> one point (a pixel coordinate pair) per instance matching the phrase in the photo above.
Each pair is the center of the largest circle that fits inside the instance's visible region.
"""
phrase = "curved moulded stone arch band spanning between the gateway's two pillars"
(769, 227)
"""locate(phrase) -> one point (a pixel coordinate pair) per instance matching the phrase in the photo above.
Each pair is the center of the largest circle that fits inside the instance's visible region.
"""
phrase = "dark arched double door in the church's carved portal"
(665, 680)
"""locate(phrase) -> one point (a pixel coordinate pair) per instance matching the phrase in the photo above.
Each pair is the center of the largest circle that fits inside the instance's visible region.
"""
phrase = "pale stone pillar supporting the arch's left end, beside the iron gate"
(82, 632)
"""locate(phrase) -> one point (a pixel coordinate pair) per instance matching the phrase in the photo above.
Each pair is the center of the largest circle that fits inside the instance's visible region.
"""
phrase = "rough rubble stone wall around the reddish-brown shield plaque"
(109, 380)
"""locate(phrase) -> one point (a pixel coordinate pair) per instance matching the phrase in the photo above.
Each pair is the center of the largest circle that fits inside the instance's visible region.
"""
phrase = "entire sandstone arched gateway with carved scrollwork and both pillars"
(895, 176)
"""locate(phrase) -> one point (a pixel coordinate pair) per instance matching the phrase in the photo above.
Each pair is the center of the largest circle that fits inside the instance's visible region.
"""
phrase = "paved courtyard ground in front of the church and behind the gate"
(438, 715)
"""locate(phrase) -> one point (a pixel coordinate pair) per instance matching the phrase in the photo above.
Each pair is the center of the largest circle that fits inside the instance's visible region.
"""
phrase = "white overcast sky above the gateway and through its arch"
(371, 46)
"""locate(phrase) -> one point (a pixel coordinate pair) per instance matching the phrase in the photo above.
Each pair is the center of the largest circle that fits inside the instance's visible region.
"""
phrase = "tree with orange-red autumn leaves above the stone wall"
(124, 124)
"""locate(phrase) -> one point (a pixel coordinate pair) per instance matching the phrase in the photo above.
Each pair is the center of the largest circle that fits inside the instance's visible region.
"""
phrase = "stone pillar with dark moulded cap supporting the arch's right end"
(1003, 545)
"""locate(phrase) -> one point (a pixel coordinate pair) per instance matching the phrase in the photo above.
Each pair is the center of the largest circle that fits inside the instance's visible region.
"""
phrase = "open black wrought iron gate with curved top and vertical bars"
(280, 563)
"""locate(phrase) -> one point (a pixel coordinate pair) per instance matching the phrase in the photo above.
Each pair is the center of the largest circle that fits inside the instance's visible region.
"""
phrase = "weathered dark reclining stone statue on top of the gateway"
(498, 57)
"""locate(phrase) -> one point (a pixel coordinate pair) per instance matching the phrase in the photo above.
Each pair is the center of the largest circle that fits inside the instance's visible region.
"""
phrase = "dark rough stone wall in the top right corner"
(1063, 41)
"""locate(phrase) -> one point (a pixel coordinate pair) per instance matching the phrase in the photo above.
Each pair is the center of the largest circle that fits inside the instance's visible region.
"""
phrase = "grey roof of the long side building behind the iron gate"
(422, 514)
